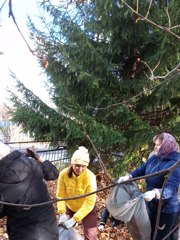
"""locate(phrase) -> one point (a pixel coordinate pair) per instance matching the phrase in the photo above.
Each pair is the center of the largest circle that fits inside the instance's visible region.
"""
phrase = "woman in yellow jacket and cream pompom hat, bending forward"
(74, 181)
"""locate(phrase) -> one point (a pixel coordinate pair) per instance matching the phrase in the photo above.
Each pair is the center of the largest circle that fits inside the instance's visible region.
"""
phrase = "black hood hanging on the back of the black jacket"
(15, 167)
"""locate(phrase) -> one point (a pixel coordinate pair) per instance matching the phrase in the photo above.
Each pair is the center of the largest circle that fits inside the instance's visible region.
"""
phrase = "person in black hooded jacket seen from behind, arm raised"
(22, 182)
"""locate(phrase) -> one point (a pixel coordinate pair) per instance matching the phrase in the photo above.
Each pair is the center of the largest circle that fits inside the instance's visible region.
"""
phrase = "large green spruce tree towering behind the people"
(101, 91)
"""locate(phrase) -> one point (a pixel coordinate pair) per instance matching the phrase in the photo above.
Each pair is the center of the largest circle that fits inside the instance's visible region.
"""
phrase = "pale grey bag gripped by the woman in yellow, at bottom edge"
(68, 234)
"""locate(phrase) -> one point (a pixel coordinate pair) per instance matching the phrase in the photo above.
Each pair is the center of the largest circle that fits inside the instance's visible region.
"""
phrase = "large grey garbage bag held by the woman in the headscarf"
(126, 203)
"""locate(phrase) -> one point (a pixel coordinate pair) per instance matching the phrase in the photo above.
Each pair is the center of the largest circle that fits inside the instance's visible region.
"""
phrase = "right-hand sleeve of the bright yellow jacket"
(89, 202)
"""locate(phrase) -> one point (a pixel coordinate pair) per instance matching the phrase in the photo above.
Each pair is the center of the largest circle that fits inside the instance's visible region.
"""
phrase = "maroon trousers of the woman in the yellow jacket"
(89, 224)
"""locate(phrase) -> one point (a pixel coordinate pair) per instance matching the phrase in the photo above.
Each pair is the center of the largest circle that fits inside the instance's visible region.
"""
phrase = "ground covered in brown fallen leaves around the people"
(117, 233)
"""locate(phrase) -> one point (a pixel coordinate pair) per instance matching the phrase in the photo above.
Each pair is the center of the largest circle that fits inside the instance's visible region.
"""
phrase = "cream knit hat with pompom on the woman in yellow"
(80, 156)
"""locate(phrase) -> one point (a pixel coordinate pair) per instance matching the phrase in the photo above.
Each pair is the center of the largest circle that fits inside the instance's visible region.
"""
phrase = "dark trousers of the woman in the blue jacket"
(166, 224)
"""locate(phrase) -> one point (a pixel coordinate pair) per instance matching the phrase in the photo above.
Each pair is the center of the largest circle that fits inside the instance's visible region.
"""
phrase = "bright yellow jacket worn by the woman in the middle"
(76, 186)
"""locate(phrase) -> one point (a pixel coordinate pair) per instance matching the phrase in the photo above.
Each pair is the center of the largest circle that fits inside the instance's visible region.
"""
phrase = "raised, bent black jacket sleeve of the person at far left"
(49, 170)
